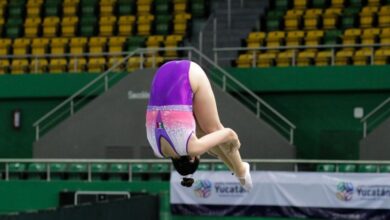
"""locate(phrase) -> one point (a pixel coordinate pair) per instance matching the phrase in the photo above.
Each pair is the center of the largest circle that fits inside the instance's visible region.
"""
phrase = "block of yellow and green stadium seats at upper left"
(77, 27)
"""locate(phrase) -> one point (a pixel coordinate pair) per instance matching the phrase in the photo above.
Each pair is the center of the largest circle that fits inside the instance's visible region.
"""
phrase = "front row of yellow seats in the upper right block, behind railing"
(347, 56)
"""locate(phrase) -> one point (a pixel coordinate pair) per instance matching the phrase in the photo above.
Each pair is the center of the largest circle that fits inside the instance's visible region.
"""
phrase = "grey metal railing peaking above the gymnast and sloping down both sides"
(141, 52)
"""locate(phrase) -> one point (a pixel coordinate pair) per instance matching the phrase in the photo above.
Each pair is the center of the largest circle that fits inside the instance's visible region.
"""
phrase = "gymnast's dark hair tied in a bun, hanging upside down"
(185, 165)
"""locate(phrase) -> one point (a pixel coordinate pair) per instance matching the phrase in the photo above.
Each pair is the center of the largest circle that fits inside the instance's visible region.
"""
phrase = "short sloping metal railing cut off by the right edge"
(376, 116)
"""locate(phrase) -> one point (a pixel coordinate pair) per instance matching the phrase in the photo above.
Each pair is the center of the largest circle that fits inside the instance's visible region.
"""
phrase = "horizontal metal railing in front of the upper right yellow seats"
(218, 52)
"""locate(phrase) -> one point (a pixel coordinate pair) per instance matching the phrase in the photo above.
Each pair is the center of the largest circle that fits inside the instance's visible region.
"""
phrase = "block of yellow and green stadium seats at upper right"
(317, 23)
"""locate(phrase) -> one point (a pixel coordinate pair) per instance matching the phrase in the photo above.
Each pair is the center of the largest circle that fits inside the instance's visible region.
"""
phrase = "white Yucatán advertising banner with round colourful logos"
(285, 194)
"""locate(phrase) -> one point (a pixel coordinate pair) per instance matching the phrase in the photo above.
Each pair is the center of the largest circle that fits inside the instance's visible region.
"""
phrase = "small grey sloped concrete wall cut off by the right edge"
(376, 146)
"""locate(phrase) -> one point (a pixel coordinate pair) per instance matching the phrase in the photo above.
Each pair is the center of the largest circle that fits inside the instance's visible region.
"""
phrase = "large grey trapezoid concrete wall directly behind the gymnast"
(113, 126)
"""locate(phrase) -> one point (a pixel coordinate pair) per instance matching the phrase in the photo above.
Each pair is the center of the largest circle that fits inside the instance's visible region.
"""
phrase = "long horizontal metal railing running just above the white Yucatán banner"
(256, 164)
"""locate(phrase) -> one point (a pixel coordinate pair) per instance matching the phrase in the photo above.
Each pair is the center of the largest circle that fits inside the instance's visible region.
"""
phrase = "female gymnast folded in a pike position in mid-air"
(182, 122)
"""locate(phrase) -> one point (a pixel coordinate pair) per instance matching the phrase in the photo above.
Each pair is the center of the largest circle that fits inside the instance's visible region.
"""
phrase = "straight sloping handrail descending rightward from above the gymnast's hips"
(247, 90)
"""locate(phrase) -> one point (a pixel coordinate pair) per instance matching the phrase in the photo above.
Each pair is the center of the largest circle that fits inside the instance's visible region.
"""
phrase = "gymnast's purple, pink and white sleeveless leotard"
(169, 114)
